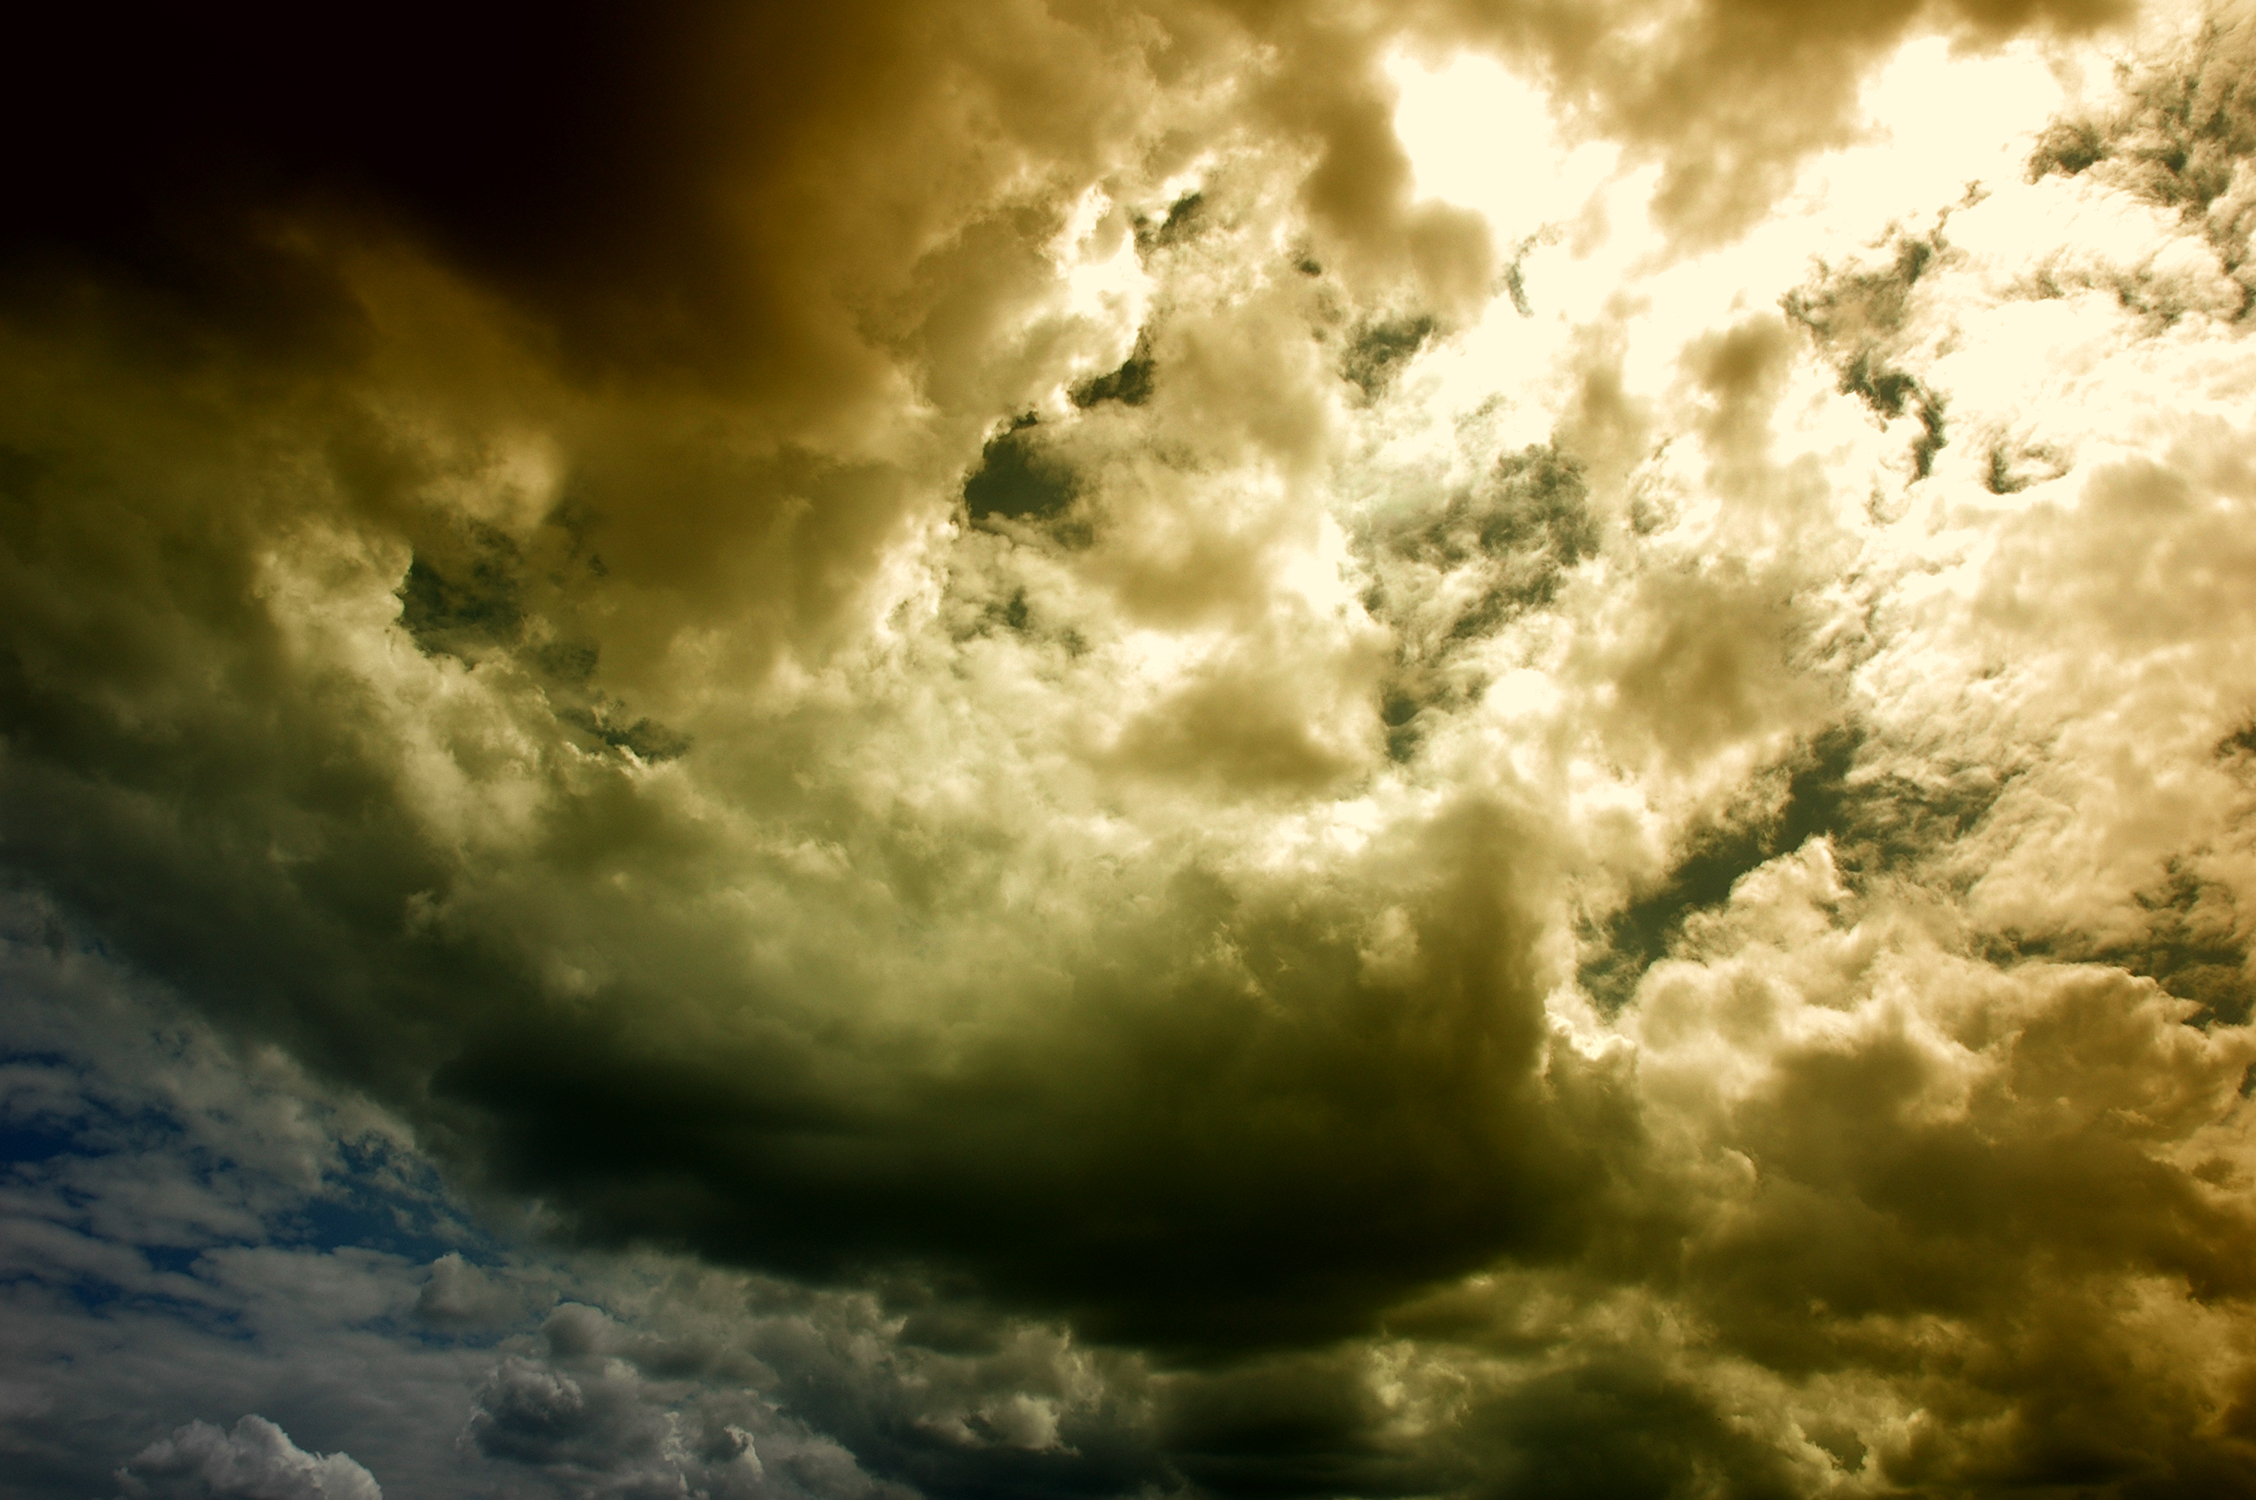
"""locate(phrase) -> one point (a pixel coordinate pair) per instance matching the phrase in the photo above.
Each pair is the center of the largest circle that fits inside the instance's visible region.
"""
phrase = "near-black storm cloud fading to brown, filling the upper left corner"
(748, 229)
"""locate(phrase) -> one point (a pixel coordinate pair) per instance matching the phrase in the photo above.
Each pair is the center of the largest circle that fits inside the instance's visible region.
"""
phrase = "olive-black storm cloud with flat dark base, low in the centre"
(1181, 1167)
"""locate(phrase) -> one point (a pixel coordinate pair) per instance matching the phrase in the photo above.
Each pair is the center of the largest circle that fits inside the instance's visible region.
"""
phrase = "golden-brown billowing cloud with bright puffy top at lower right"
(1939, 1140)
